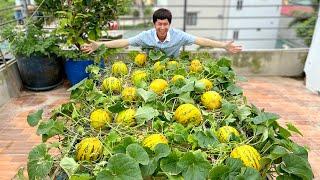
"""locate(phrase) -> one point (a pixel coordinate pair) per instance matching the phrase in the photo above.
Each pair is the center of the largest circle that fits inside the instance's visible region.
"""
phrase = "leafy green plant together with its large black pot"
(35, 51)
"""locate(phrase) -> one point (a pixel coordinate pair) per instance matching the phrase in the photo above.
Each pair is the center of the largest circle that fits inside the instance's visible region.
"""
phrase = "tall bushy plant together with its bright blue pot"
(79, 21)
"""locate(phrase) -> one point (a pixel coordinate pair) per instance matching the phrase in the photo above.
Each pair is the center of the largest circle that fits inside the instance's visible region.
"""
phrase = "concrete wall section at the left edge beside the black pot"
(10, 82)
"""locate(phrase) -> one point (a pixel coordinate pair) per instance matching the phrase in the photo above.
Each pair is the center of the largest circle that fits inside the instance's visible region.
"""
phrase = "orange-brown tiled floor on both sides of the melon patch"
(284, 96)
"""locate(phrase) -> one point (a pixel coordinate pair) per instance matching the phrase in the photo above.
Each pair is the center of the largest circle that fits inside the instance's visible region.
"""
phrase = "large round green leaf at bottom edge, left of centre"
(120, 166)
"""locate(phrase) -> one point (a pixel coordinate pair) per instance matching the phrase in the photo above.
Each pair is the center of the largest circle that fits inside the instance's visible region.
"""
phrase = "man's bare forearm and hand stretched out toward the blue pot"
(119, 43)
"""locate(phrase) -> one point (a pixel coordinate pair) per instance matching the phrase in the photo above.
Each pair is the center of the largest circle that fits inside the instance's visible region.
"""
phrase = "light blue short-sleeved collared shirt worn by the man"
(171, 45)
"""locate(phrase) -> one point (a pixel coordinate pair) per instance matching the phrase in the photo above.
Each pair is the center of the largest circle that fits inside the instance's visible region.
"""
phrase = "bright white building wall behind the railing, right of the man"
(255, 22)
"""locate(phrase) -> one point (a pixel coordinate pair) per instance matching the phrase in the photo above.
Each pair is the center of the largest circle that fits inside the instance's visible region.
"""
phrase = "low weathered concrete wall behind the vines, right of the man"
(278, 62)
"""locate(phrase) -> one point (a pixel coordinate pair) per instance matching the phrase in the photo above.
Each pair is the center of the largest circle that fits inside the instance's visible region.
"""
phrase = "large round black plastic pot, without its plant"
(40, 73)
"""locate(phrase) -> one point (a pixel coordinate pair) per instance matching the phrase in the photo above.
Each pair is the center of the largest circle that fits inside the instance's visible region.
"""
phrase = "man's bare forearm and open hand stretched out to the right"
(229, 46)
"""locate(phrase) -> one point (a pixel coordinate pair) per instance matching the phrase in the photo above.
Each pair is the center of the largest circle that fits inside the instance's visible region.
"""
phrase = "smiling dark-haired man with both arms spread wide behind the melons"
(163, 37)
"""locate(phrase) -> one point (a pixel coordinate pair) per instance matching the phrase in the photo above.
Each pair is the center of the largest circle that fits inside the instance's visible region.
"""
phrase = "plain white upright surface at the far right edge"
(312, 65)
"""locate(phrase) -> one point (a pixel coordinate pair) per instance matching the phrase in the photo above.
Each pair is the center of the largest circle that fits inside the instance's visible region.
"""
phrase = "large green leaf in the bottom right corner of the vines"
(297, 165)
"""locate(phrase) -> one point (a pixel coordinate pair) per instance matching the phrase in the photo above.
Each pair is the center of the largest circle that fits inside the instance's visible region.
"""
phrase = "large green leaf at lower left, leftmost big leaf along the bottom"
(39, 162)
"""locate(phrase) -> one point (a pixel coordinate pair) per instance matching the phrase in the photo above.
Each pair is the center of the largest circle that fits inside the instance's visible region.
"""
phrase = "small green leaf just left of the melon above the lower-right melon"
(206, 139)
